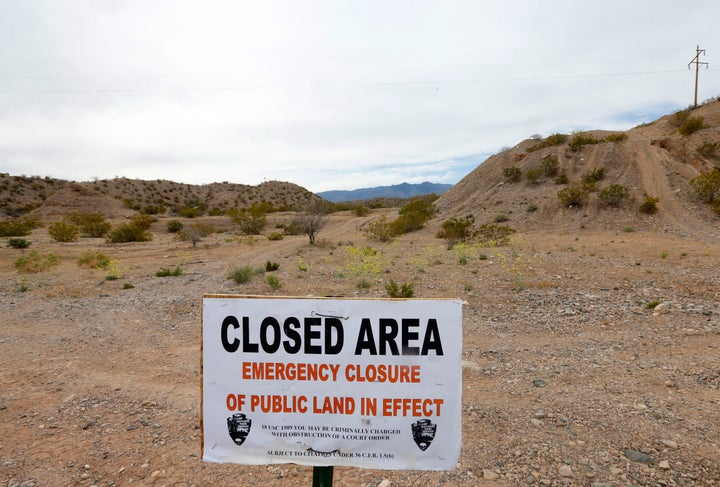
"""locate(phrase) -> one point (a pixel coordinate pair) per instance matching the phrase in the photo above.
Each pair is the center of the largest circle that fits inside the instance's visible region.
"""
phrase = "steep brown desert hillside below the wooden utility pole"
(653, 160)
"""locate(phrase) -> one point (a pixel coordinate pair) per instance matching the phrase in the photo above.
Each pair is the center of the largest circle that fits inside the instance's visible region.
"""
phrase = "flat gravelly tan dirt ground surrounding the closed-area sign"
(590, 358)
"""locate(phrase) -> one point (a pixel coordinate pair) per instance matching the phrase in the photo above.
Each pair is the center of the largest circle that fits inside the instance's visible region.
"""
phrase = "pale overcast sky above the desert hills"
(334, 94)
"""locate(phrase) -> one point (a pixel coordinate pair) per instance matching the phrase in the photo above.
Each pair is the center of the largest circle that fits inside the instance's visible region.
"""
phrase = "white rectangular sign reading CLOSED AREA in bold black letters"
(363, 383)
